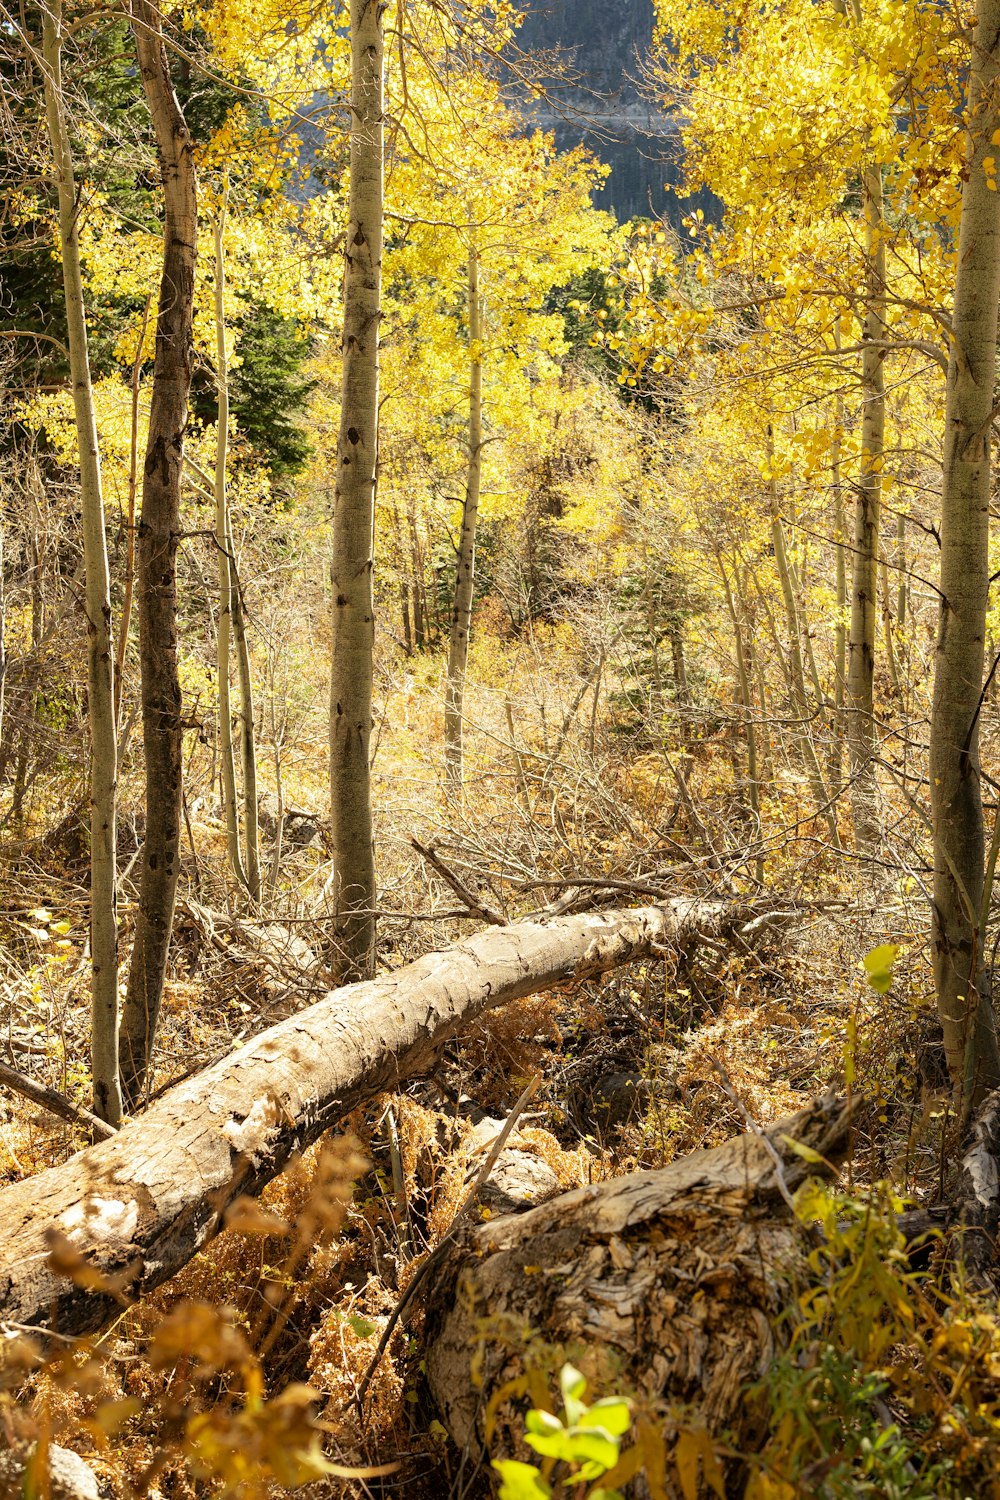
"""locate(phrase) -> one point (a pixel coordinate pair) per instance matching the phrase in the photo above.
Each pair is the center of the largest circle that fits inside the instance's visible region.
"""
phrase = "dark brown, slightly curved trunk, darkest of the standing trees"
(160, 533)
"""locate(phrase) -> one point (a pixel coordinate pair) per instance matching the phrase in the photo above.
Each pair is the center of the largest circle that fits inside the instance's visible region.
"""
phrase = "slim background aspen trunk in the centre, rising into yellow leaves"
(466, 572)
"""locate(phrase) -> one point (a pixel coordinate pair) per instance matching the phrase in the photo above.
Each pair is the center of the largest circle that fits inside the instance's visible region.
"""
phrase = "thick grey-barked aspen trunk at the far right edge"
(962, 980)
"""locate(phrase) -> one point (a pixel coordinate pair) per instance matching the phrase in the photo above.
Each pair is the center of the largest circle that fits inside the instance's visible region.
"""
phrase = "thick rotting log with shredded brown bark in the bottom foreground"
(674, 1280)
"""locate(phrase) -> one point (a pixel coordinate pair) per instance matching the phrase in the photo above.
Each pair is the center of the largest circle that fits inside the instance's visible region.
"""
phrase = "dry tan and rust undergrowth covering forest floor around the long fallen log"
(660, 1060)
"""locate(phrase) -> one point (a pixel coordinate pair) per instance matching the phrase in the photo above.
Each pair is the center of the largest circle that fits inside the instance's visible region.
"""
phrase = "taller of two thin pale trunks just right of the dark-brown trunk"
(227, 590)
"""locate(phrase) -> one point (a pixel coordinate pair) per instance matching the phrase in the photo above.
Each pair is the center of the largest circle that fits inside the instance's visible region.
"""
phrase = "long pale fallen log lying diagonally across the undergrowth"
(142, 1205)
